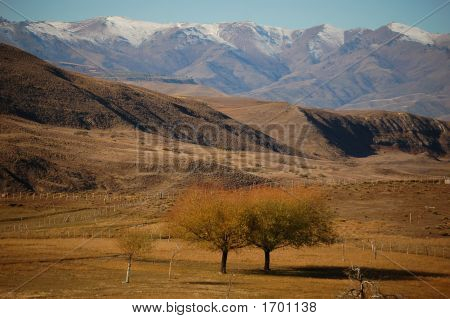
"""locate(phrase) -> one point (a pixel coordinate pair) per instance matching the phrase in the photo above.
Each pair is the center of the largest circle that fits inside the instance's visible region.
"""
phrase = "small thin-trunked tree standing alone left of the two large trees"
(132, 244)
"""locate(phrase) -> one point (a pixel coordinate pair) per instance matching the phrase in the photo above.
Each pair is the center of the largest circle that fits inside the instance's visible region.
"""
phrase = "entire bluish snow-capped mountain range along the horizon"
(261, 61)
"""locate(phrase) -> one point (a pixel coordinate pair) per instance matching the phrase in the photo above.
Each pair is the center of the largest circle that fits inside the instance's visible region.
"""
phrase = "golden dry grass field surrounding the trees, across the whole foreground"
(67, 249)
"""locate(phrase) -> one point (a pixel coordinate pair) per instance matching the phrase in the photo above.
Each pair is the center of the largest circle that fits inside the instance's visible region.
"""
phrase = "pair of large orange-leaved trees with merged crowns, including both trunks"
(268, 218)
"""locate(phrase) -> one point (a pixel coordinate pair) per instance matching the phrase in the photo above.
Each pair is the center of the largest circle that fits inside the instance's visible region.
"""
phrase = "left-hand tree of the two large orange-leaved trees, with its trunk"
(211, 215)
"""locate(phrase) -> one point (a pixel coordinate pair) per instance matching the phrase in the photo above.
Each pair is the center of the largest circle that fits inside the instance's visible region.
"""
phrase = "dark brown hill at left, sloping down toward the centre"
(35, 90)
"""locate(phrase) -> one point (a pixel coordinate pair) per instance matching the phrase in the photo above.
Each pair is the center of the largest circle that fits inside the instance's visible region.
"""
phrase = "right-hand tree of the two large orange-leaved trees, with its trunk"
(275, 218)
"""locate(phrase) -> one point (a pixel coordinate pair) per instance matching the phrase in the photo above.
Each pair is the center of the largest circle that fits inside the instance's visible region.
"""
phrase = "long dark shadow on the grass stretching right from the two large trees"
(333, 272)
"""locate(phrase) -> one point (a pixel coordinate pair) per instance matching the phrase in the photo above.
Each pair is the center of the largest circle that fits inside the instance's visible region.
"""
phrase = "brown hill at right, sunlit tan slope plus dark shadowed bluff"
(332, 134)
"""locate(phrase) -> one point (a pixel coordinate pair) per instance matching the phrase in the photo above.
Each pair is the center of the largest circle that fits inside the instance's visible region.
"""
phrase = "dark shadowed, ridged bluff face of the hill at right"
(362, 133)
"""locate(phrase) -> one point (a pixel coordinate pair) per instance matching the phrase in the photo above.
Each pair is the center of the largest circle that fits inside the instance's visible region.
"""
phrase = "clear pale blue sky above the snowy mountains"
(284, 13)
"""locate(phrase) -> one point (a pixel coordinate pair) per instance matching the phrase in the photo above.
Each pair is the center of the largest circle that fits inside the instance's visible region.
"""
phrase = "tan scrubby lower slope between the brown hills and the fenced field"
(42, 158)
